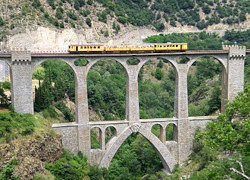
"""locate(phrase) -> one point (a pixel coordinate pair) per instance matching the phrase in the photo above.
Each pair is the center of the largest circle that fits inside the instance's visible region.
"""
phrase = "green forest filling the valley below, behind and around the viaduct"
(216, 149)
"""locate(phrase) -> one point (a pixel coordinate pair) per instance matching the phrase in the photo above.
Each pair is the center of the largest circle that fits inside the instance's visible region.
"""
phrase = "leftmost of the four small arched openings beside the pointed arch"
(96, 138)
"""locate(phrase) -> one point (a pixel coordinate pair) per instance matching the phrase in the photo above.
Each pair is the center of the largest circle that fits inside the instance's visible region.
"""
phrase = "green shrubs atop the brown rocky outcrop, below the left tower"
(13, 124)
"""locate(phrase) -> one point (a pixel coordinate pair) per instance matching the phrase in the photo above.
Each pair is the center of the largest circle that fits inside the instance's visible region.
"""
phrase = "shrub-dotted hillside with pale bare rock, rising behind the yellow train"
(52, 25)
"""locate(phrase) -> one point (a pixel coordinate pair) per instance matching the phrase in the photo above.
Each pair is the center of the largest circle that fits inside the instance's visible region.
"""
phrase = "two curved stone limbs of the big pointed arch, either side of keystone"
(167, 159)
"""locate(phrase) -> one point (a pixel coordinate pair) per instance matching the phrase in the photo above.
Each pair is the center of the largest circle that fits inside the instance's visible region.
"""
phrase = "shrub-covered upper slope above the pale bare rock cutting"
(159, 13)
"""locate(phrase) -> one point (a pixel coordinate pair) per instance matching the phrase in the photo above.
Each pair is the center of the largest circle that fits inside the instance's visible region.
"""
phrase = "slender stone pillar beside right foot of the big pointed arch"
(181, 112)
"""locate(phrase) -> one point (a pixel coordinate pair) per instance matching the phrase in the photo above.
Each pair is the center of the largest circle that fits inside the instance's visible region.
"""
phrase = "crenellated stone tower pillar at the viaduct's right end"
(236, 60)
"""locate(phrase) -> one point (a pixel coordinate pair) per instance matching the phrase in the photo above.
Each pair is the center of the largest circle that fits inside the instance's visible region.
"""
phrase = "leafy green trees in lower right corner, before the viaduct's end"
(228, 133)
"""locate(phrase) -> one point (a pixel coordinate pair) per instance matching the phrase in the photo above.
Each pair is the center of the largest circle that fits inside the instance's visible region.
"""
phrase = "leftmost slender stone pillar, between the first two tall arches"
(82, 111)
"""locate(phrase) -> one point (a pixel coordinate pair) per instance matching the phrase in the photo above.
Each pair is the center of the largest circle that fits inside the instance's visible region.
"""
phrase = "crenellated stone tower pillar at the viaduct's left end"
(21, 80)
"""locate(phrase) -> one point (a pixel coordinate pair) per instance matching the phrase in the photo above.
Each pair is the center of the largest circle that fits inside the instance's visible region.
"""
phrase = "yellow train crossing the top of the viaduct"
(153, 48)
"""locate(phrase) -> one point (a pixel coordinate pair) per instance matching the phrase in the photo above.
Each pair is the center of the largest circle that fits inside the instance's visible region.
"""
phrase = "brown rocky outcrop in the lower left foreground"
(31, 154)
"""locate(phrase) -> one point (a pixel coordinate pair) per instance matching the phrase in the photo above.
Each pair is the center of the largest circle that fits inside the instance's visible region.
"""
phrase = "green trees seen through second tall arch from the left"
(107, 89)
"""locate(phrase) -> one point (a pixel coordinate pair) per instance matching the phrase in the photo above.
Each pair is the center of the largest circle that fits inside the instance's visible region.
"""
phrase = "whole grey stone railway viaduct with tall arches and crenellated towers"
(76, 135)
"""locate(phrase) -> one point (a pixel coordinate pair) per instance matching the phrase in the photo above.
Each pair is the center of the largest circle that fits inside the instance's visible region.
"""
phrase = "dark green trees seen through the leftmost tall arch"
(58, 81)
